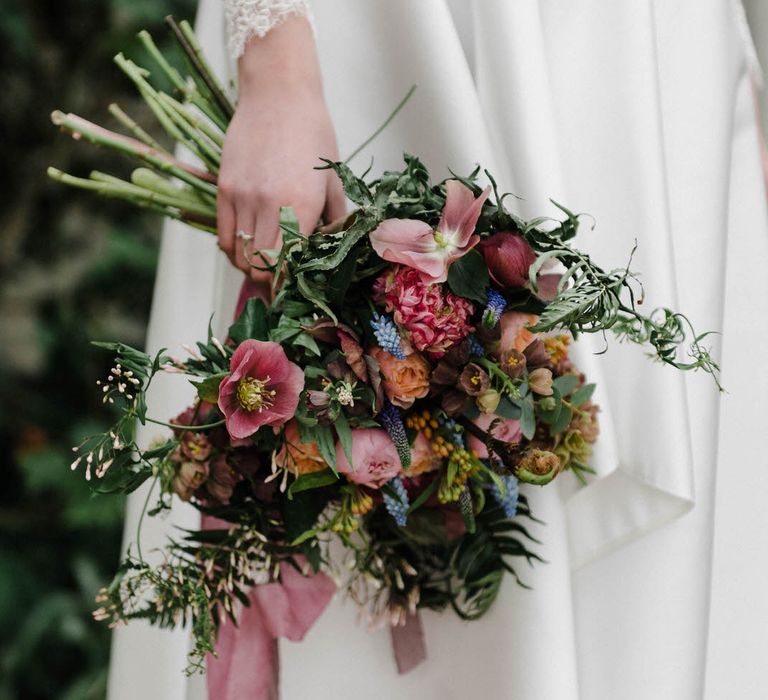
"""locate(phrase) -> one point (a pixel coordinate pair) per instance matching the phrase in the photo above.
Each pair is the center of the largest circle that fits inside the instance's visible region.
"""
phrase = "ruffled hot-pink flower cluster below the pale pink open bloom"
(432, 318)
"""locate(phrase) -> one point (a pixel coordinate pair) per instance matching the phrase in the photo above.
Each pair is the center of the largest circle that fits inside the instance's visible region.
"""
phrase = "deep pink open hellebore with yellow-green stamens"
(263, 388)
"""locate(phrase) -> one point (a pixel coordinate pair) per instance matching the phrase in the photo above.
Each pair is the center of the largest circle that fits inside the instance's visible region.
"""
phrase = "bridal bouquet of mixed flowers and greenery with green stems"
(410, 372)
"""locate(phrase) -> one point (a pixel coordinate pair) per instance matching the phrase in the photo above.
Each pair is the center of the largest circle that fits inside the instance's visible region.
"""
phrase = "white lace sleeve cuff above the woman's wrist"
(249, 18)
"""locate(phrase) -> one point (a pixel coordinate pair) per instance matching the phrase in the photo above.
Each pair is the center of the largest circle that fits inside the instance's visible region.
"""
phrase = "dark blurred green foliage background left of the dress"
(72, 268)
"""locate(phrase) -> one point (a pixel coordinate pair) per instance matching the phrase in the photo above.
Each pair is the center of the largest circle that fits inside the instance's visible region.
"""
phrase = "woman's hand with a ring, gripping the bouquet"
(280, 129)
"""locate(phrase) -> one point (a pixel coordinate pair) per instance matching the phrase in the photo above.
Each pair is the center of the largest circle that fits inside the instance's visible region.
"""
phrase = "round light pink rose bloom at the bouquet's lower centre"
(374, 458)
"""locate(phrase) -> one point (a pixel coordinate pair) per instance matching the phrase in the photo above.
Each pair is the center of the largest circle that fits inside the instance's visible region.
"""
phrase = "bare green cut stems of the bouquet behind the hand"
(167, 184)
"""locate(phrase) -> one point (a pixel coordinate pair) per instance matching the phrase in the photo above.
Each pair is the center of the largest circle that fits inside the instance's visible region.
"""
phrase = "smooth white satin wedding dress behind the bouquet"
(639, 112)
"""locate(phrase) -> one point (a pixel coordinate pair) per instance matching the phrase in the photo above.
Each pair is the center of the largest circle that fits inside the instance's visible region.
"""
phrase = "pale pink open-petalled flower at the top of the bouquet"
(431, 251)
